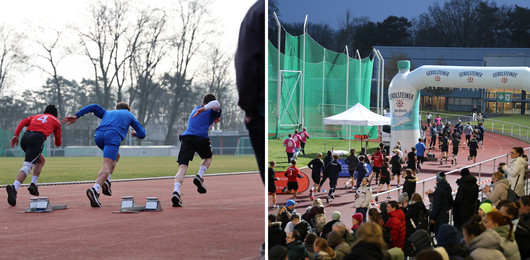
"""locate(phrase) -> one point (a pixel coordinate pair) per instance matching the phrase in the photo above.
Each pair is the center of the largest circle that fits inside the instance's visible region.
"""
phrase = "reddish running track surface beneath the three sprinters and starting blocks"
(225, 223)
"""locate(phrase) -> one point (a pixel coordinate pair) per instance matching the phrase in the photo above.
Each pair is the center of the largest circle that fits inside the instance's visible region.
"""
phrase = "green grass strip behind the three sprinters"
(63, 169)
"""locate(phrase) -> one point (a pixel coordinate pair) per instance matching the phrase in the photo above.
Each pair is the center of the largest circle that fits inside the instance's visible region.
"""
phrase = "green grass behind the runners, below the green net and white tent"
(313, 146)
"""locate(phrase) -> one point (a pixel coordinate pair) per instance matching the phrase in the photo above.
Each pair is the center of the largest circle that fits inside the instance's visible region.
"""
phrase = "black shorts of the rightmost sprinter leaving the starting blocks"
(190, 144)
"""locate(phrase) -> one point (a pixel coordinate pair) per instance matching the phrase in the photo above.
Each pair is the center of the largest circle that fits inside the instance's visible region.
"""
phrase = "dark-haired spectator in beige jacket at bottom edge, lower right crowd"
(483, 243)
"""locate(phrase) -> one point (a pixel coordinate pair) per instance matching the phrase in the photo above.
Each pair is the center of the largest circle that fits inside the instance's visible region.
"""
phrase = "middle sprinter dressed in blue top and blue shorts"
(109, 134)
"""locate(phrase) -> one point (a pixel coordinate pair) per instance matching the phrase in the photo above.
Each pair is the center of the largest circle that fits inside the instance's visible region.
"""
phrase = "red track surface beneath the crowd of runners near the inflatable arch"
(494, 145)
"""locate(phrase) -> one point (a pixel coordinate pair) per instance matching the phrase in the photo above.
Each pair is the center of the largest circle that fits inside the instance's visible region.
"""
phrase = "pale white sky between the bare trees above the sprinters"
(59, 13)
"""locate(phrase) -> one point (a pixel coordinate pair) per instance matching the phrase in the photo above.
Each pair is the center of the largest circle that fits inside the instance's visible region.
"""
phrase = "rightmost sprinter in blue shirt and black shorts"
(196, 140)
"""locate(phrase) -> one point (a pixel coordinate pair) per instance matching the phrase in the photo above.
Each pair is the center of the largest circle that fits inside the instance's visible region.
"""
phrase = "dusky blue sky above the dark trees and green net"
(377, 10)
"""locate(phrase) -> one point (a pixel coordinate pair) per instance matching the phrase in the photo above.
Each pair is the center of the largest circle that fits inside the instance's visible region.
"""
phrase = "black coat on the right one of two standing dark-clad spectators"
(465, 200)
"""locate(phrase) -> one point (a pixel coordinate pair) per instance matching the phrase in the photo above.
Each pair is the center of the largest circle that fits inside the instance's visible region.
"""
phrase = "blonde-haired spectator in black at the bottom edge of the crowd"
(369, 243)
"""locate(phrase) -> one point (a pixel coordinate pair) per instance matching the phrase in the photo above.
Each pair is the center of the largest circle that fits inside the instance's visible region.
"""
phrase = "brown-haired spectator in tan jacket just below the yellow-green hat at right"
(504, 227)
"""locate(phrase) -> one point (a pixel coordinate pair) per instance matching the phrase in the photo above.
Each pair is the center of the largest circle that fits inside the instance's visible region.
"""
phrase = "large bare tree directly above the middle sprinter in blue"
(102, 43)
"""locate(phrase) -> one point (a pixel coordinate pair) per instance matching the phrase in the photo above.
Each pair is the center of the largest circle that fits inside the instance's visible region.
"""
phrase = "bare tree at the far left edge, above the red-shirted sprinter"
(12, 54)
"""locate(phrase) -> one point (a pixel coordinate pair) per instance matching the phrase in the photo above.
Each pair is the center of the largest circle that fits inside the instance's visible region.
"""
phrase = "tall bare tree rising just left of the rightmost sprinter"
(191, 31)
